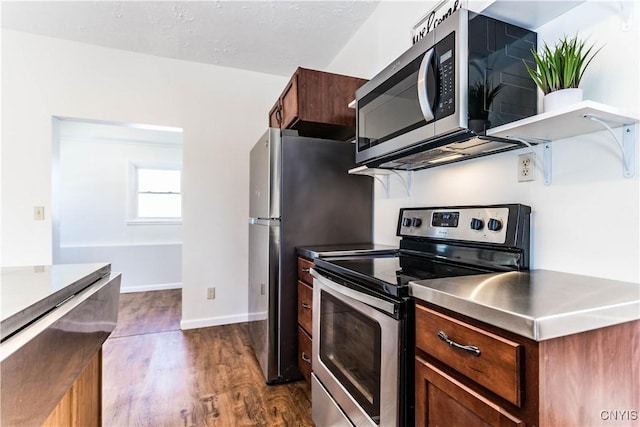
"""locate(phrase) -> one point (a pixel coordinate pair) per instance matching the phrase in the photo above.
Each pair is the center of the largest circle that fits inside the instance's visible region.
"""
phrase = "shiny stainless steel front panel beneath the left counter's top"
(39, 364)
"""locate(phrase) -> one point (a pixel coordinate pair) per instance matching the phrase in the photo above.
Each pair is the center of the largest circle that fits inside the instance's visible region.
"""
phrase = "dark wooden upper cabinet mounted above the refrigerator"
(315, 103)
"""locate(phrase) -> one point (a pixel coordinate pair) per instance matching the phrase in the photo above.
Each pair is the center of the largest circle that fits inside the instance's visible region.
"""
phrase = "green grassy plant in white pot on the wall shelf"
(560, 70)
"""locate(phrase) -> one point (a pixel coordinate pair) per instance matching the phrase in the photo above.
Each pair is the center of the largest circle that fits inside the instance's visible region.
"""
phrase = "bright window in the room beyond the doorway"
(156, 194)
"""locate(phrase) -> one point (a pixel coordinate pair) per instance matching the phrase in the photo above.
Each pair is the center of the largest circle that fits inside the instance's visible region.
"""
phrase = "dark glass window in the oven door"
(350, 348)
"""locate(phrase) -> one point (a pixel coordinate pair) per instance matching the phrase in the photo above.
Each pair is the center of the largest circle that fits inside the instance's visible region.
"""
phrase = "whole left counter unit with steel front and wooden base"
(51, 364)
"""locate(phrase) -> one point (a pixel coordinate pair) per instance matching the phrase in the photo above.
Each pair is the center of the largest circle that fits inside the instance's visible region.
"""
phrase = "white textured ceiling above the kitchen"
(267, 36)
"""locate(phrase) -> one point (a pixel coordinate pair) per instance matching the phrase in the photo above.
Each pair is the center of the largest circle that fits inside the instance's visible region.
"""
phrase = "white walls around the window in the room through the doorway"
(94, 202)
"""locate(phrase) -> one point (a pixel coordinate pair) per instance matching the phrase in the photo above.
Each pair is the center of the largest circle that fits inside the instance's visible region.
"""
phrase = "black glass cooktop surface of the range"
(391, 274)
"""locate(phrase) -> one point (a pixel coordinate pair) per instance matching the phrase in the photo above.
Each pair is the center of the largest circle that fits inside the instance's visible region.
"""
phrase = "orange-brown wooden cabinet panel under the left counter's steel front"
(81, 406)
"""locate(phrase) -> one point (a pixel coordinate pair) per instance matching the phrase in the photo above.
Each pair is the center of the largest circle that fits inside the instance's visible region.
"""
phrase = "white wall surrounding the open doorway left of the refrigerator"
(222, 112)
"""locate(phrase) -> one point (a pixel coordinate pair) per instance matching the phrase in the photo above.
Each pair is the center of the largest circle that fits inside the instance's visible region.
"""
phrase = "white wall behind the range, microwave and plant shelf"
(587, 220)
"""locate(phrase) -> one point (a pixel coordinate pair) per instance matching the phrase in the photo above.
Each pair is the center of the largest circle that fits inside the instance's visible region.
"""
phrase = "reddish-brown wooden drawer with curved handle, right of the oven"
(498, 367)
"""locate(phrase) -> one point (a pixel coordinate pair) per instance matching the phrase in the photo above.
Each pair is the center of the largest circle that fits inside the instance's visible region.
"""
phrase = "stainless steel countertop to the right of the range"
(537, 304)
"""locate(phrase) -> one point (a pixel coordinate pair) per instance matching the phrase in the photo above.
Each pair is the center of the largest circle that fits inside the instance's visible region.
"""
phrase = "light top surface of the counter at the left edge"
(27, 293)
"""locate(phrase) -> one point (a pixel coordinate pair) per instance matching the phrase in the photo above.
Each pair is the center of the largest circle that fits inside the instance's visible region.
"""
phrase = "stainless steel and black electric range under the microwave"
(363, 328)
